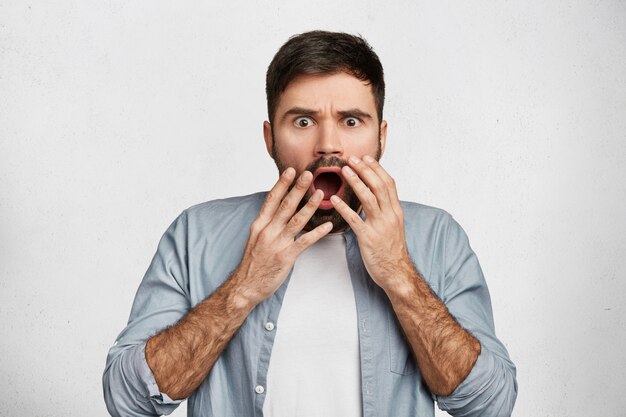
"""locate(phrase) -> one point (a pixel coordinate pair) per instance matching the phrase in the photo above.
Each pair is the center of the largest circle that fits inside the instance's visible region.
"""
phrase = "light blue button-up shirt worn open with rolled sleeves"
(205, 244)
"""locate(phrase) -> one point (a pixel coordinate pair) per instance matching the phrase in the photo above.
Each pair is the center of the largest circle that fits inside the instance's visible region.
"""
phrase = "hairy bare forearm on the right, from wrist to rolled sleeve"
(445, 352)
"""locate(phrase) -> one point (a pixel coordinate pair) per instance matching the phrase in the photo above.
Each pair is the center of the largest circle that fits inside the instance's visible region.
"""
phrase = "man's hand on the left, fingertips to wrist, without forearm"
(272, 249)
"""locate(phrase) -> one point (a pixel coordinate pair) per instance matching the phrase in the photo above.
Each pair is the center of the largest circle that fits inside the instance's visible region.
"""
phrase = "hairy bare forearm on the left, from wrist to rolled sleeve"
(181, 356)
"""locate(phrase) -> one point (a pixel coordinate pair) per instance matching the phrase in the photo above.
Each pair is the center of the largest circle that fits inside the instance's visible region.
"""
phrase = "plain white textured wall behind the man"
(117, 115)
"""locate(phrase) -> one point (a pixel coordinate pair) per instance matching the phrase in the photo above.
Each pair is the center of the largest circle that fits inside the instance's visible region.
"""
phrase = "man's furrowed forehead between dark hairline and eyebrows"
(319, 91)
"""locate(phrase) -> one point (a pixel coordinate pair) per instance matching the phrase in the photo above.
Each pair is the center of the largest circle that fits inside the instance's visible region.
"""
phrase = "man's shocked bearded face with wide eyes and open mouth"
(319, 122)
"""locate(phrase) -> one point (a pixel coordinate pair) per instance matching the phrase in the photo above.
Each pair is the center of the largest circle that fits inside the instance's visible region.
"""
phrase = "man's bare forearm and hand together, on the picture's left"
(181, 356)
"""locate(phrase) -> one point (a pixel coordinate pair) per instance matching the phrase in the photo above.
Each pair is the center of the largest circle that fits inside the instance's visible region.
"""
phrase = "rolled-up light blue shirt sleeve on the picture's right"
(490, 389)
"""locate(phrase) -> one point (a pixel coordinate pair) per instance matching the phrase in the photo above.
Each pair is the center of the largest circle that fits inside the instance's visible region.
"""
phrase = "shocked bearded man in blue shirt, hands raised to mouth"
(326, 296)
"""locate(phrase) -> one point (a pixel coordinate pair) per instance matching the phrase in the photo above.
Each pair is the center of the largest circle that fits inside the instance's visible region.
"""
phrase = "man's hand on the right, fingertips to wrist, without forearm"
(381, 235)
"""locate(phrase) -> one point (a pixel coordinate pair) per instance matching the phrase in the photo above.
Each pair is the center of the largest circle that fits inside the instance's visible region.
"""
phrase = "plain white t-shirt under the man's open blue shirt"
(314, 367)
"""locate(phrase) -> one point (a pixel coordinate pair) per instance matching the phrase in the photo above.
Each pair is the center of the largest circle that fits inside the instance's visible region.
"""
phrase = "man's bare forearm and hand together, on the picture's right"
(445, 352)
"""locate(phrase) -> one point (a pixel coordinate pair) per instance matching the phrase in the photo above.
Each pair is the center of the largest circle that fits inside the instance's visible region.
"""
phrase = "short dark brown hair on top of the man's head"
(320, 52)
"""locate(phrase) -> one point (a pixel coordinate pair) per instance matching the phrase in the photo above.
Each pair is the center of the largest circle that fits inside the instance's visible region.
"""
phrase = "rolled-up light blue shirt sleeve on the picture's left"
(161, 300)
